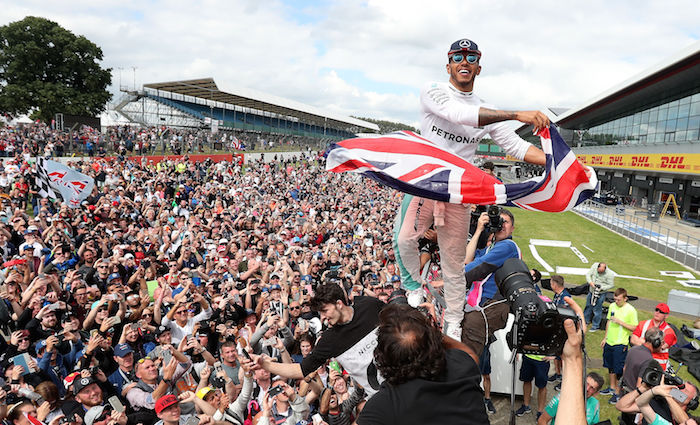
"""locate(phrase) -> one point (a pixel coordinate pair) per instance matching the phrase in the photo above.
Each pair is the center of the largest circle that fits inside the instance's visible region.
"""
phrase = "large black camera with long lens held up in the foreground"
(539, 324)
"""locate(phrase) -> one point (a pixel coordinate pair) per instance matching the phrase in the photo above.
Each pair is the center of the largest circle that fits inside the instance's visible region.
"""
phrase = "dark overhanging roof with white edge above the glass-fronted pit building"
(660, 83)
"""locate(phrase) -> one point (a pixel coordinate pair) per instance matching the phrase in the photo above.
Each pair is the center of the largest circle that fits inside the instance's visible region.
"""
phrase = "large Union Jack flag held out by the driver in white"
(414, 165)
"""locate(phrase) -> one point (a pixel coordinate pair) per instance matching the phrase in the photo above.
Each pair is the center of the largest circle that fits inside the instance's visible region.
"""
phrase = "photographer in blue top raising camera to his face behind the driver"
(485, 314)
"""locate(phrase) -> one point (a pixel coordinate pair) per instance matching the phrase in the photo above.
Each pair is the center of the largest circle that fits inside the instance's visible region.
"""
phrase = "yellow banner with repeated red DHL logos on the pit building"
(671, 163)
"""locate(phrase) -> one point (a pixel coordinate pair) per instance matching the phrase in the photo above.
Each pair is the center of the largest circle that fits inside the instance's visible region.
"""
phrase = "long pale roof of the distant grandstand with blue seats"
(206, 88)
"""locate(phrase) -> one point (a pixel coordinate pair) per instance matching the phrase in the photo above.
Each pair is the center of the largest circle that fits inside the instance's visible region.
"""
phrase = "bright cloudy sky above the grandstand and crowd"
(370, 58)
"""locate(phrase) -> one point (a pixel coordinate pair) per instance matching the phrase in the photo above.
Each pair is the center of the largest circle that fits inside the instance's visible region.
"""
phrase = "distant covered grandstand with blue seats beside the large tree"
(200, 103)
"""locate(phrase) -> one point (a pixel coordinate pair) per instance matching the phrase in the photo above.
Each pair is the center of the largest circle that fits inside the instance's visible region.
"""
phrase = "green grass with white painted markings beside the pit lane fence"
(624, 257)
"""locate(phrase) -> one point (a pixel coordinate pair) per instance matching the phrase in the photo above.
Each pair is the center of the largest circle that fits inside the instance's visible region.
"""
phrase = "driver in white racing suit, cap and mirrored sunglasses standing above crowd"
(454, 118)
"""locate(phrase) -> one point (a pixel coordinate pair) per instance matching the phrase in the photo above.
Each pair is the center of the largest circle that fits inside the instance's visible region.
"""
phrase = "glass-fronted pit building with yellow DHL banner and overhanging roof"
(643, 135)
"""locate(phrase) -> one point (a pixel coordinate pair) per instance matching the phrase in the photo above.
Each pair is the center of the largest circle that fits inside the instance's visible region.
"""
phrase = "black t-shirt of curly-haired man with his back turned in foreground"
(457, 398)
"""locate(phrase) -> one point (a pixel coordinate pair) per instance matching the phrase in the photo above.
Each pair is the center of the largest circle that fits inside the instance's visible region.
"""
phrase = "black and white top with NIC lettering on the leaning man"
(352, 344)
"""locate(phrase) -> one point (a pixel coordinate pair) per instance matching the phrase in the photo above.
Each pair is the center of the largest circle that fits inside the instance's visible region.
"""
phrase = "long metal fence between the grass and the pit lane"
(672, 243)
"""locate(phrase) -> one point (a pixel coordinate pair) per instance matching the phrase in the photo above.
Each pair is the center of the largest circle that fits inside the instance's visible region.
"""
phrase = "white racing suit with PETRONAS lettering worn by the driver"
(450, 119)
